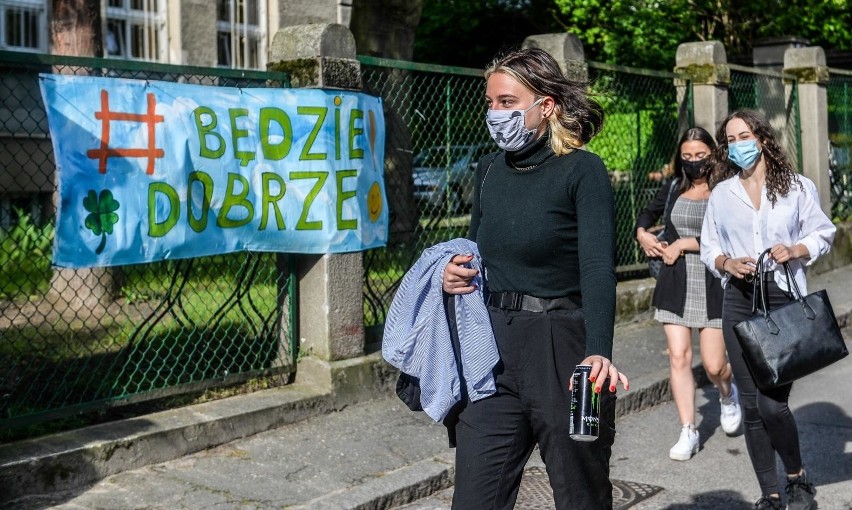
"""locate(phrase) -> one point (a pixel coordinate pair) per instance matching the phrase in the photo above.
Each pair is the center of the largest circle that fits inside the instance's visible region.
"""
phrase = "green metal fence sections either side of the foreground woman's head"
(435, 118)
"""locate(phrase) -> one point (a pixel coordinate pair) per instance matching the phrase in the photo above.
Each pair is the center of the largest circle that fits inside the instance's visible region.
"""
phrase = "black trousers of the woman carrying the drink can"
(496, 436)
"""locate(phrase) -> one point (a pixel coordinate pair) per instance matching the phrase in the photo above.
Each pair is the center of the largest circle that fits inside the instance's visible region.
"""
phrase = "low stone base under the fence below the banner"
(74, 458)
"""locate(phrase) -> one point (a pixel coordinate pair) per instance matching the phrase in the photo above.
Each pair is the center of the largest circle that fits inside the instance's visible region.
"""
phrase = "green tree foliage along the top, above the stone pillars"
(640, 33)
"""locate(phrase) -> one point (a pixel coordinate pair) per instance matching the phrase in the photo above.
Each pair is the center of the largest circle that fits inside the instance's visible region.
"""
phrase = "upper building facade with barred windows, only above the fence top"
(225, 33)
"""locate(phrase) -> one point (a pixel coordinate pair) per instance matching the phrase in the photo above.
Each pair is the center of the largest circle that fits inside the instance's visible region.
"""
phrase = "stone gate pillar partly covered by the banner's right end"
(331, 319)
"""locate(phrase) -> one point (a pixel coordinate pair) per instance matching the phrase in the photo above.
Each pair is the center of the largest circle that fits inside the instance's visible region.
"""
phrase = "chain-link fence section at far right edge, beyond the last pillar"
(839, 92)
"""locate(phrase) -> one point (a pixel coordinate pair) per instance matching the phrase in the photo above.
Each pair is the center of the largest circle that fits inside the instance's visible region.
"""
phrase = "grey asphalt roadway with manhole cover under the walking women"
(720, 475)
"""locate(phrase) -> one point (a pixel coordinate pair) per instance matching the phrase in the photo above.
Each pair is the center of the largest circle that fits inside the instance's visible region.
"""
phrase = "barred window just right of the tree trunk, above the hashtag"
(135, 29)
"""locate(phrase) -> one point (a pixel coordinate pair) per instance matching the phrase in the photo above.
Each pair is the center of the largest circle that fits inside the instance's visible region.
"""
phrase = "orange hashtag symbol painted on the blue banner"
(106, 116)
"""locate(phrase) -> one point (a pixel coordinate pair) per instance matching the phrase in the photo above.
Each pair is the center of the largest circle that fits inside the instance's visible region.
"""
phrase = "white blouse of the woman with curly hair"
(734, 228)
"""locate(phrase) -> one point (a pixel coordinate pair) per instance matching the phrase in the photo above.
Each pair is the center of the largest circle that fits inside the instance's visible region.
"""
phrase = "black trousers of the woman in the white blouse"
(770, 427)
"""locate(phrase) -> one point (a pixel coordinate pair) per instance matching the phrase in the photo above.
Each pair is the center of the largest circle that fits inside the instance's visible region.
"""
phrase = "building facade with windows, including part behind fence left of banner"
(207, 33)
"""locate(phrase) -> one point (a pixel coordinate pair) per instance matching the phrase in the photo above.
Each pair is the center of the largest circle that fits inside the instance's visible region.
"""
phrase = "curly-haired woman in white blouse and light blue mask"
(758, 202)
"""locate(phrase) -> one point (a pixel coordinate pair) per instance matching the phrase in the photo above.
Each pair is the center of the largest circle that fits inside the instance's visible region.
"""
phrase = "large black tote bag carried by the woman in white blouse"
(791, 341)
